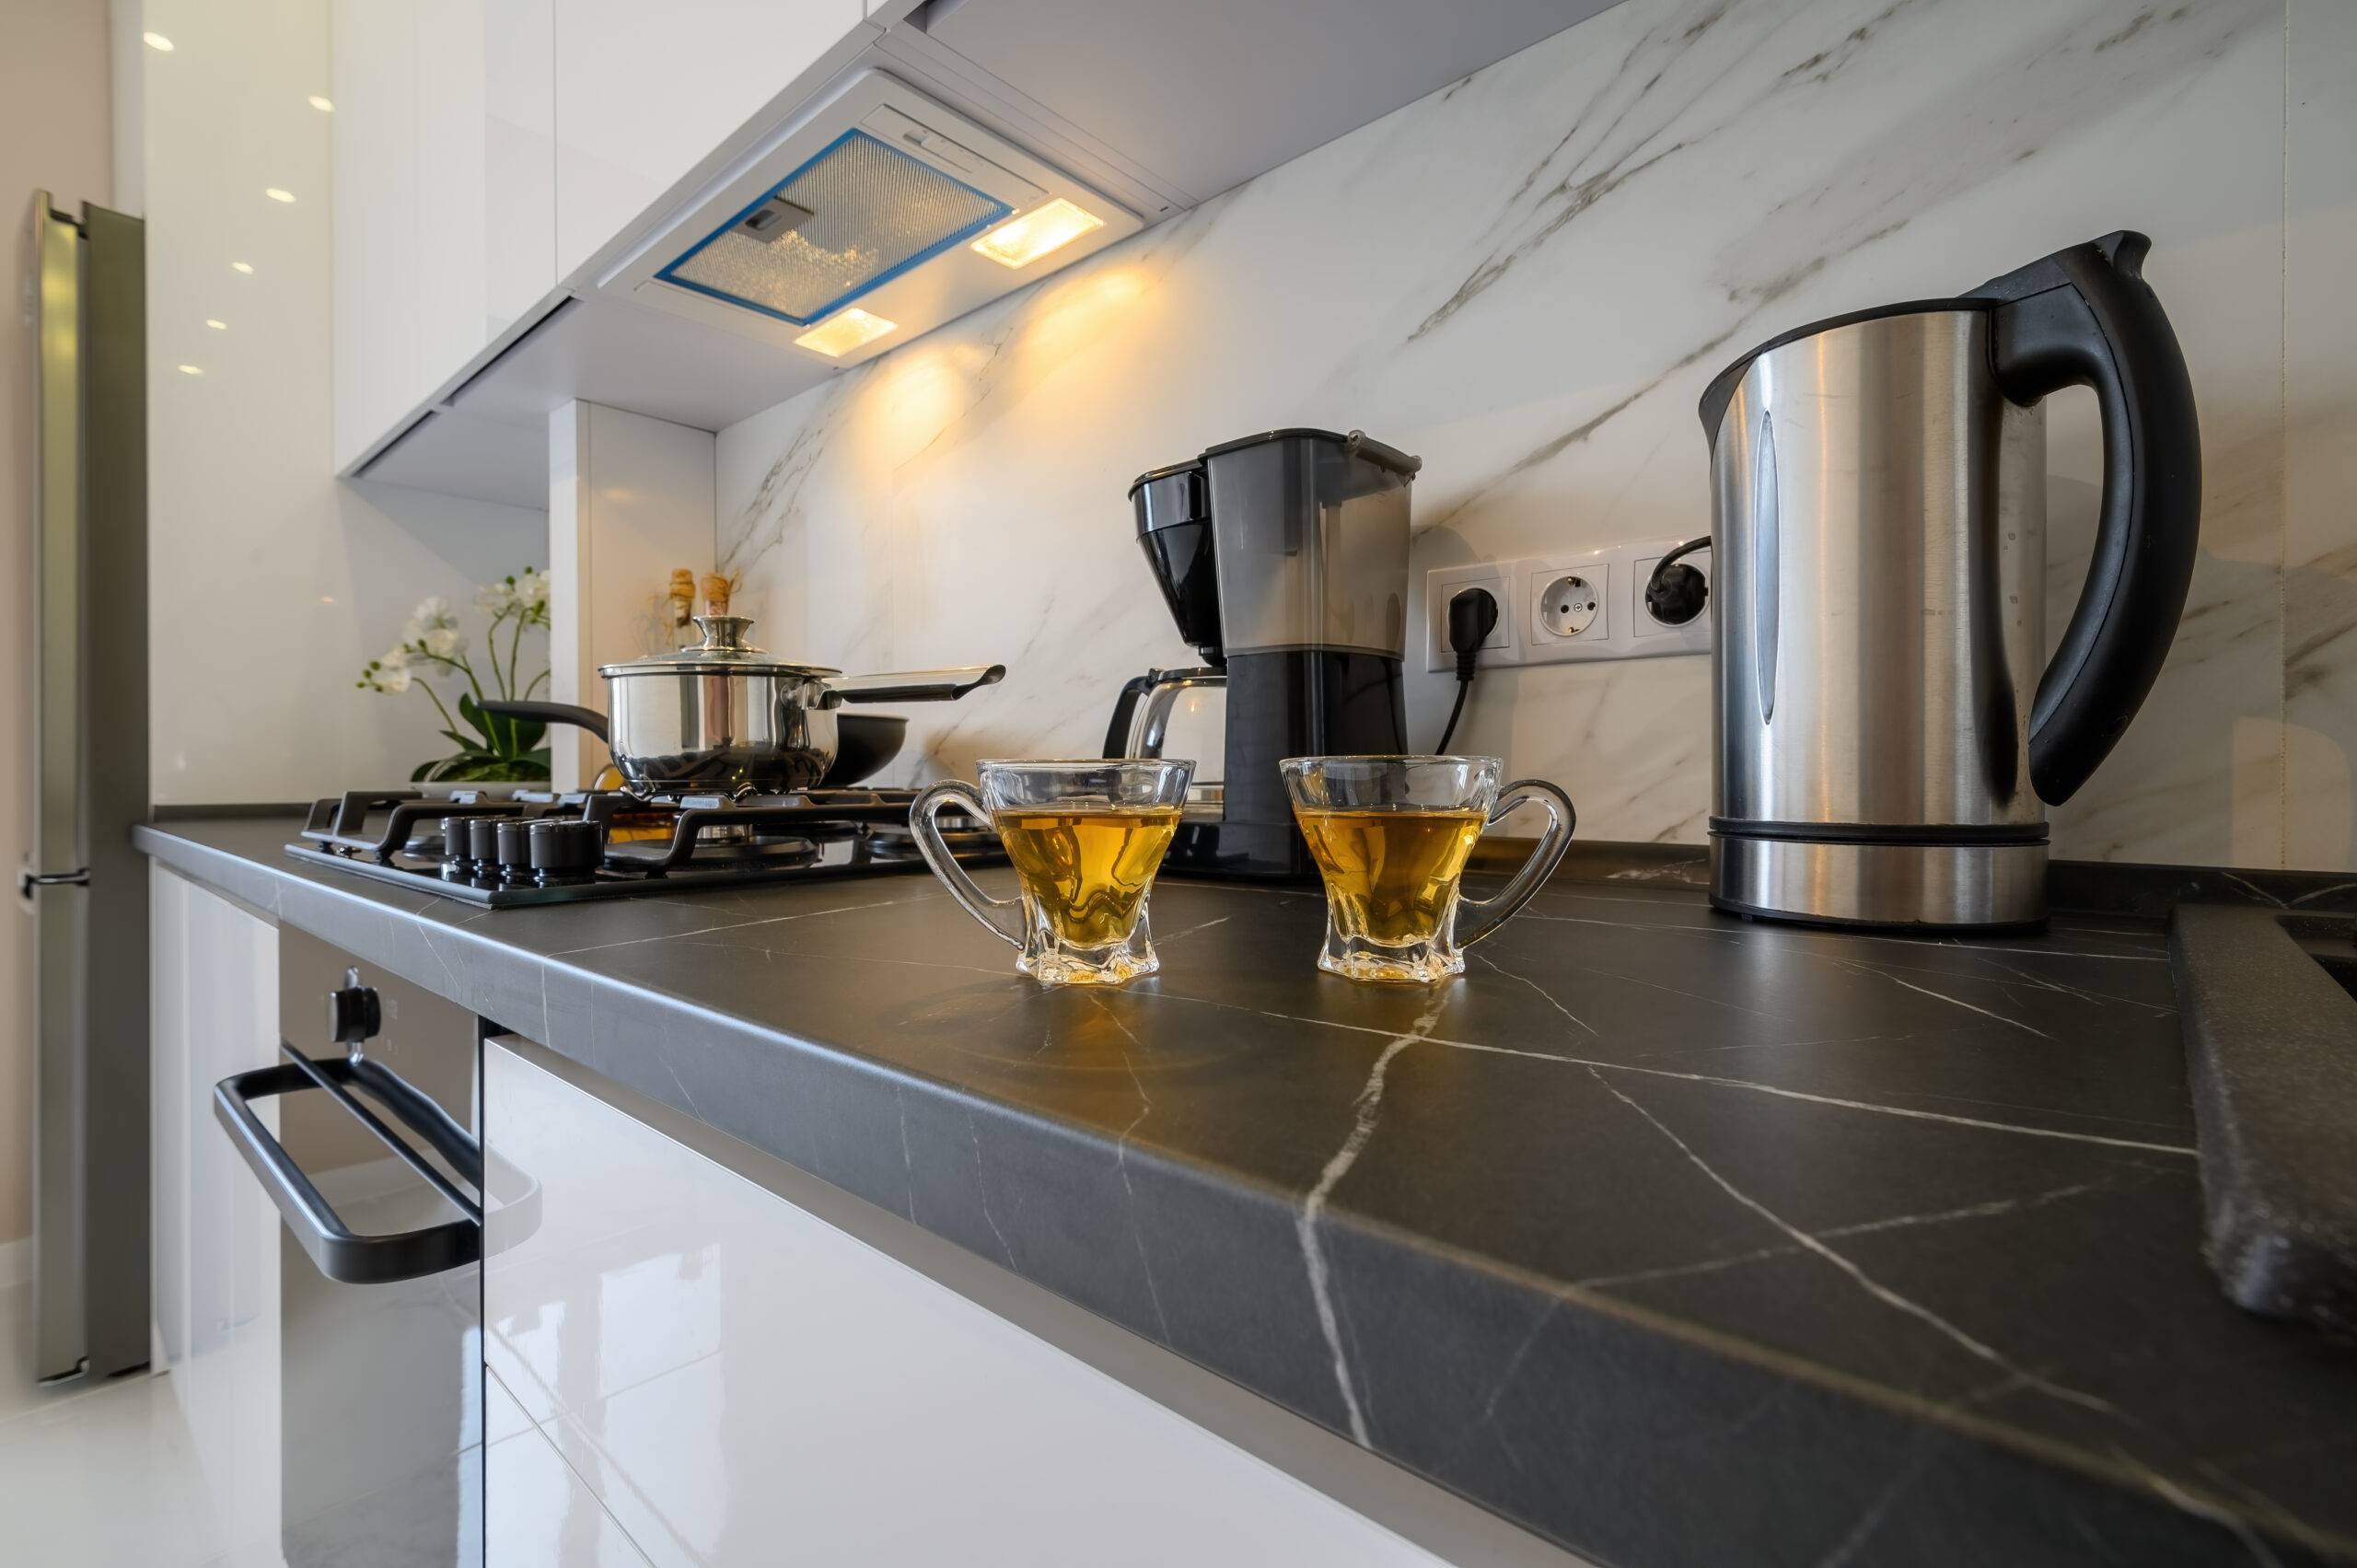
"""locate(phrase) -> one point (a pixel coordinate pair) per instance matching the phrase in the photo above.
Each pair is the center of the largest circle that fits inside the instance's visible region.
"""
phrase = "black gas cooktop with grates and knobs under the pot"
(503, 845)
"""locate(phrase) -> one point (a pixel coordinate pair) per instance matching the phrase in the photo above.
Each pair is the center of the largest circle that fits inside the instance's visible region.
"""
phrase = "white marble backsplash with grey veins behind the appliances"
(1529, 279)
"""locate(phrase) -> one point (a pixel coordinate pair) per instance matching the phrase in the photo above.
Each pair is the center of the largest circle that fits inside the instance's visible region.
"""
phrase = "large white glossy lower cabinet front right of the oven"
(741, 1383)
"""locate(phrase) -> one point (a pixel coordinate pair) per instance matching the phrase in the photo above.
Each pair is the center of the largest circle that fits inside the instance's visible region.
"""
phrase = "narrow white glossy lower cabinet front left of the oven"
(216, 1008)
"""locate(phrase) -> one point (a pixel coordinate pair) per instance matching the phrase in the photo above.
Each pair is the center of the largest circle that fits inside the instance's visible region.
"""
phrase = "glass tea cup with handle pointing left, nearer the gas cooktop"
(1085, 841)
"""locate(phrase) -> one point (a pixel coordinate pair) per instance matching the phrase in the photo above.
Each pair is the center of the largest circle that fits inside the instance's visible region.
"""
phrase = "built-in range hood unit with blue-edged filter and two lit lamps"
(869, 220)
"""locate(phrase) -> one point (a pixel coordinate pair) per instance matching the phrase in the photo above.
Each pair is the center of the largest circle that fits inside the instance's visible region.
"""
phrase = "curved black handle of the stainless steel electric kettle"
(2085, 317)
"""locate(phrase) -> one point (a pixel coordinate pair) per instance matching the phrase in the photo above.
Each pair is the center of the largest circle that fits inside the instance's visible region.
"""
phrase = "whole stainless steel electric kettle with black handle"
(1889, 730)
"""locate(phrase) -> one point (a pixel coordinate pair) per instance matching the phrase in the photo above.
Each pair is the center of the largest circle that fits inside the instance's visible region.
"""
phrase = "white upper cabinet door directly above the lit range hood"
(647, 91)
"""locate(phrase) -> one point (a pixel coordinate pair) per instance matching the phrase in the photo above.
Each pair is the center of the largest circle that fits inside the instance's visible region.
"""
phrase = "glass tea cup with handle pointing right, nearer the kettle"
(1392, 838)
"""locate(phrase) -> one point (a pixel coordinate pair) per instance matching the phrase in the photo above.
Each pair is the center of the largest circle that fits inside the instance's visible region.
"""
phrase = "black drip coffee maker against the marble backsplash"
(1283, 560)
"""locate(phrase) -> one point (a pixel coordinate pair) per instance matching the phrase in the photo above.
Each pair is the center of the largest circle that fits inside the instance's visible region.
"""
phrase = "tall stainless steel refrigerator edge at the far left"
(86, 885)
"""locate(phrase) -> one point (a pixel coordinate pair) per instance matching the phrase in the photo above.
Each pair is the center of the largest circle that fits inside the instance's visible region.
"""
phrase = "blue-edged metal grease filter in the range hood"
(871, 216)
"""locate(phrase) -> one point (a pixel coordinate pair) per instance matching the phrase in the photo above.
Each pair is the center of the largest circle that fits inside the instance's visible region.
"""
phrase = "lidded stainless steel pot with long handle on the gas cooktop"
(725, 718)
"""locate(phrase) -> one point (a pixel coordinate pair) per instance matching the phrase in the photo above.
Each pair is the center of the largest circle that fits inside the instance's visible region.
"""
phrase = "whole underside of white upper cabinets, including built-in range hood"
(918, 171)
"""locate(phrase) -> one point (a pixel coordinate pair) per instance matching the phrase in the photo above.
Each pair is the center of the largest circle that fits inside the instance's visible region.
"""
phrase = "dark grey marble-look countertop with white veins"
(1668, 1237)
